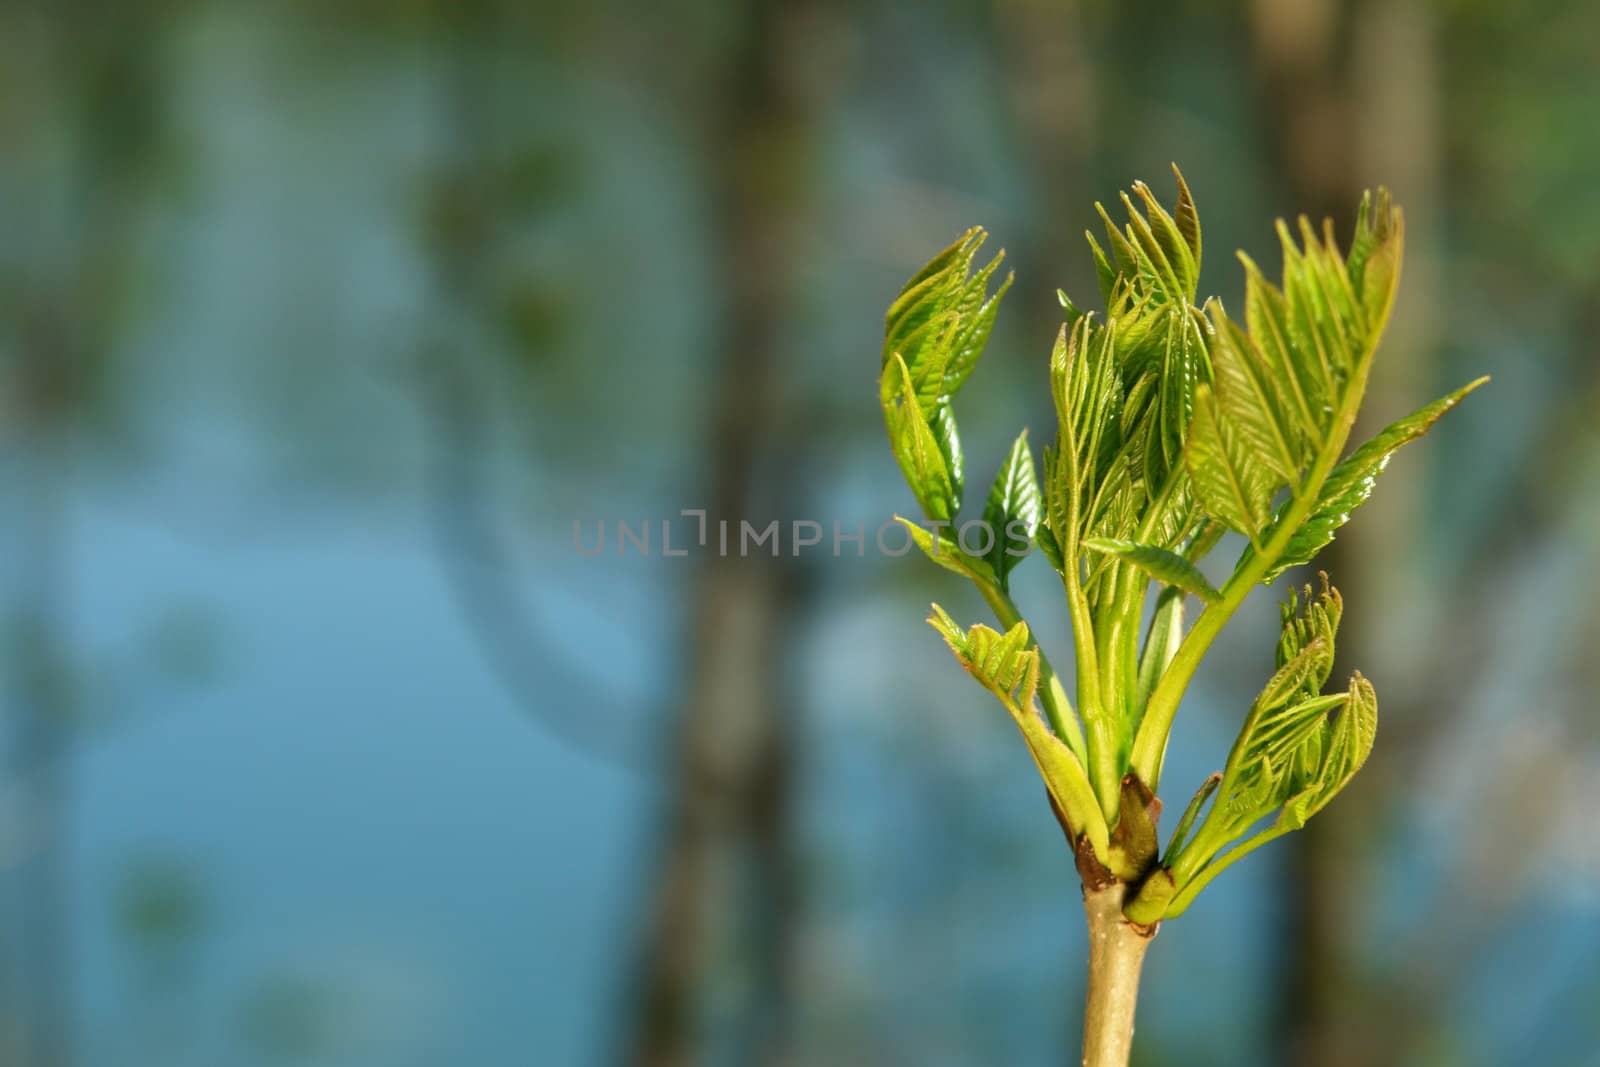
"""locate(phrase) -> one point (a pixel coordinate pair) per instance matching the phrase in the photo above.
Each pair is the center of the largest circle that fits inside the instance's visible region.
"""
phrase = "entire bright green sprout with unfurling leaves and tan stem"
(1175, 425)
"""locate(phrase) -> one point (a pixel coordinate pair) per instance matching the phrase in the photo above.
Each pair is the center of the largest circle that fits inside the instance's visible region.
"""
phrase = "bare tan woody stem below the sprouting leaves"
(1116, 959)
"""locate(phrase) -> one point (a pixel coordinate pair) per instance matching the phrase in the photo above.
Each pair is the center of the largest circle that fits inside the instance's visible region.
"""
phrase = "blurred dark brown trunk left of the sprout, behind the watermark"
(726, 892)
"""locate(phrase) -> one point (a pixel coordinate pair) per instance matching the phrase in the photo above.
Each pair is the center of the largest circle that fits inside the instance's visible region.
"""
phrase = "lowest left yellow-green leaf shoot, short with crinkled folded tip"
(1006, 666)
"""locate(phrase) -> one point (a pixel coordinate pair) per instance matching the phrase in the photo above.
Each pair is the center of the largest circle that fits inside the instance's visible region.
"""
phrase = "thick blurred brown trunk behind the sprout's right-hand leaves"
(1350, 98)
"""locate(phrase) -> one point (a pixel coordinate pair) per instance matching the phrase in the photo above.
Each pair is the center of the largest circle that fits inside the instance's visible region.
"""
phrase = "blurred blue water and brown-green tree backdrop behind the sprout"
(327, 327)
